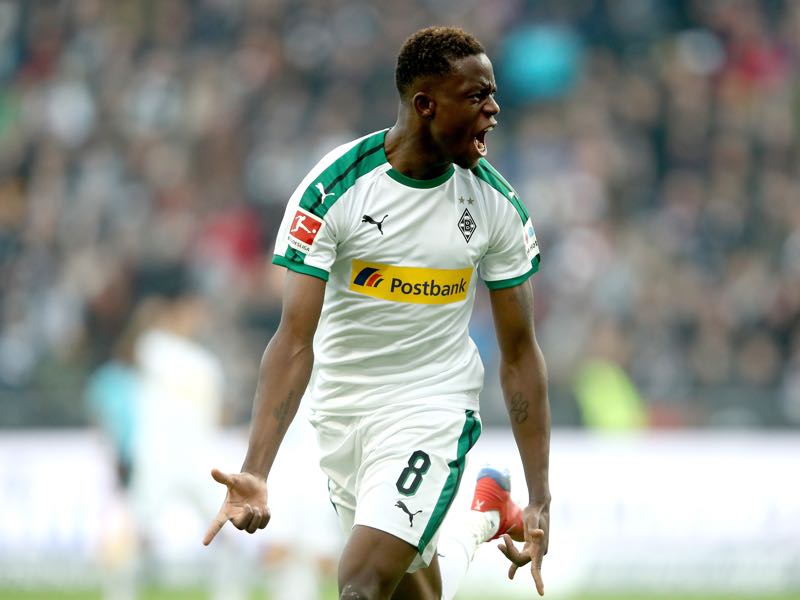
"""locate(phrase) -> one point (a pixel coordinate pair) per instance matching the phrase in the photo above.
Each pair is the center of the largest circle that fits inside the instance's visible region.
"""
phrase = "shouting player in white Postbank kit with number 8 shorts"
(384, 242)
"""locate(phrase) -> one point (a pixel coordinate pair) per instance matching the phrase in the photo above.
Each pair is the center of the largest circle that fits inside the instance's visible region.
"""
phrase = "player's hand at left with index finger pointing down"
(245, 503)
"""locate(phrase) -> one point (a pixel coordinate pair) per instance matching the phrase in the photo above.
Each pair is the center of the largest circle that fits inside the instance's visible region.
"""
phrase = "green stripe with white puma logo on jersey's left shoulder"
(342, 174)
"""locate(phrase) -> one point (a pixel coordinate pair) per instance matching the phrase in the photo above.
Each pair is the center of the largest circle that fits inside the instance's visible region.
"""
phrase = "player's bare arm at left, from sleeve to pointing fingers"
(283, 376)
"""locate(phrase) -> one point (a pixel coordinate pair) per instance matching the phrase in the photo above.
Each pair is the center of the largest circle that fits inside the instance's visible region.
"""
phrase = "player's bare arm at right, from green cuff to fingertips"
(523, 377)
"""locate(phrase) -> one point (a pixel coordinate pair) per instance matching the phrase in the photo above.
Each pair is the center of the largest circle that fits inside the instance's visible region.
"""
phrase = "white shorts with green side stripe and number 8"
(397, 469)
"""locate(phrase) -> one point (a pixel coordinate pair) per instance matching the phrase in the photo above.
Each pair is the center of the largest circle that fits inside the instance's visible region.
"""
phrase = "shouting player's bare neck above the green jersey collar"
(410, 151)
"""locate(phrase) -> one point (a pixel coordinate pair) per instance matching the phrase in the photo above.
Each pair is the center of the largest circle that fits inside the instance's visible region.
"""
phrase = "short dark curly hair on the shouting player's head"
(432, 51)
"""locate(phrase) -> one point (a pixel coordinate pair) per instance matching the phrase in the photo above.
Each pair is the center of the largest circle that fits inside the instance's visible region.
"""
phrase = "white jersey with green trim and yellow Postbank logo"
(401, 258)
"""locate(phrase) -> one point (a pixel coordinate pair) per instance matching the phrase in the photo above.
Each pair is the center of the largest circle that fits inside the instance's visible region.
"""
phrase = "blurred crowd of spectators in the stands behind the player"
(148, 147)
